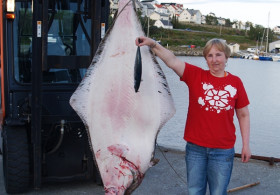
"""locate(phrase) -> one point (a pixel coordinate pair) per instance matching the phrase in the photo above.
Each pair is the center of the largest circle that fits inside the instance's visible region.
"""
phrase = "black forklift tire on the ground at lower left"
(16, 161)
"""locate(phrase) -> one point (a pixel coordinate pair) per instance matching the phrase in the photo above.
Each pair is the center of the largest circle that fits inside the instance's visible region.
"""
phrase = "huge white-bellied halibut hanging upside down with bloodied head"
(122, 124)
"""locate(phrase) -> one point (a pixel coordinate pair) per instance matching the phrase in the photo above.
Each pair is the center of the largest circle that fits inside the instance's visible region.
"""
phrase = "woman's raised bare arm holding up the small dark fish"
(164, 54)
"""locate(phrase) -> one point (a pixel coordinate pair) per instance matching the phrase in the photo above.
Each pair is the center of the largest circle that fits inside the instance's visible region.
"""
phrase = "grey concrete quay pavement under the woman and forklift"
(163, 180)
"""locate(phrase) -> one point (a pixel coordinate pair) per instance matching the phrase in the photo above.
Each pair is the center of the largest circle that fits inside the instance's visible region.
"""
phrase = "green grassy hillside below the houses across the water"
(198, 35)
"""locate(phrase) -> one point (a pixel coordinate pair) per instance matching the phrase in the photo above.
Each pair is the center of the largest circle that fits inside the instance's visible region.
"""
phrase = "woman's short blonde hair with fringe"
(219, 44)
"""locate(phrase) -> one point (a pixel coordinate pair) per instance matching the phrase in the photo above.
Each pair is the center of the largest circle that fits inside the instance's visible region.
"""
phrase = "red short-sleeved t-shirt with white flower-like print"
(212, 101)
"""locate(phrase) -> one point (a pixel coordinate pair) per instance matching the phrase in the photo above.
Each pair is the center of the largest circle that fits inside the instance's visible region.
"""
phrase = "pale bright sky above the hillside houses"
(262, 12)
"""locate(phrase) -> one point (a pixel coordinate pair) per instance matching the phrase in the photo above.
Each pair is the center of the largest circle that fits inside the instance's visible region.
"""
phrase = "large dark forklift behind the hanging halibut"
(46, 47)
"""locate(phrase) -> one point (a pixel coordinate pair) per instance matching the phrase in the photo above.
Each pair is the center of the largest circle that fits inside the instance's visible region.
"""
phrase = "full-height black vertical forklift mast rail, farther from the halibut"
(36, 89)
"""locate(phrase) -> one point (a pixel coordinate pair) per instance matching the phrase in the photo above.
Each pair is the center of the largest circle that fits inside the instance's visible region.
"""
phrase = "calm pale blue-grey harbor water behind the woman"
(262, 83)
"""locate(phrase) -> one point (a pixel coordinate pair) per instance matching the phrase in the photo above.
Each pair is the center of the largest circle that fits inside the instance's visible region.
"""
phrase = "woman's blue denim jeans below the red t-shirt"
(208, 165)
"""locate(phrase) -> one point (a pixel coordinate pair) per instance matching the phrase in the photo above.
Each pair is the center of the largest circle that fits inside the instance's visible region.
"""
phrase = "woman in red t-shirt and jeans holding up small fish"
(214, 95)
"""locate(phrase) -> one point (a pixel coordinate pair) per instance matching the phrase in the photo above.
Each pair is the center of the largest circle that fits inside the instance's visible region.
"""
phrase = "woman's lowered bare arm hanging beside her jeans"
(244, 123)
